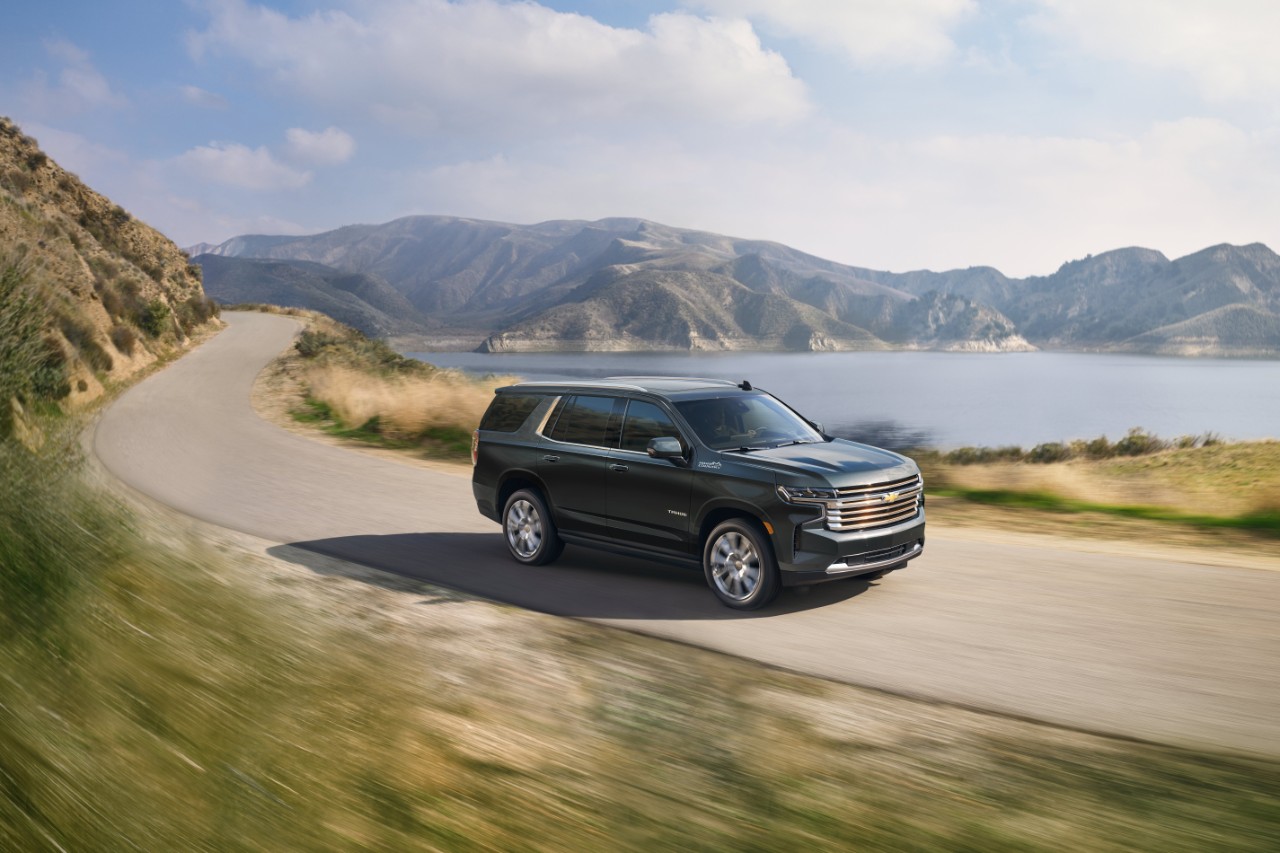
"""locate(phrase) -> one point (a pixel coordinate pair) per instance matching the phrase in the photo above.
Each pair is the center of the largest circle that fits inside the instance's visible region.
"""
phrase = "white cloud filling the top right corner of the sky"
(1227, 47)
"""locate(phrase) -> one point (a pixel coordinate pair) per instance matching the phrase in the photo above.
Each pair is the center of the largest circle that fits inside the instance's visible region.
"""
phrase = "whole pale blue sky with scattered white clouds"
(897, 135)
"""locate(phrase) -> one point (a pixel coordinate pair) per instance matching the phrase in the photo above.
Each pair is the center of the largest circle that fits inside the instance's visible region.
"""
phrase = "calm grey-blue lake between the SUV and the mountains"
(957, 400)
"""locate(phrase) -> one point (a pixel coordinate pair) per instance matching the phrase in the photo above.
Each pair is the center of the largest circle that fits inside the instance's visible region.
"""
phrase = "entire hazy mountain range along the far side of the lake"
(637, 285)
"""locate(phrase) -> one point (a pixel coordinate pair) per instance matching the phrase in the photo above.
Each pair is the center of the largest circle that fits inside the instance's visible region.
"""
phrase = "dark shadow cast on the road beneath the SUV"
(583, 583)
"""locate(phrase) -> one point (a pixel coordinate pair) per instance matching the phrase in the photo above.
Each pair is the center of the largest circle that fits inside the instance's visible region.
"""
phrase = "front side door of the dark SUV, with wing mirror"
(648, 498)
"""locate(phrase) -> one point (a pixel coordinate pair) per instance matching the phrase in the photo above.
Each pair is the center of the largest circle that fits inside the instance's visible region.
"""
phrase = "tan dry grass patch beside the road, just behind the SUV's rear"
(405, 407)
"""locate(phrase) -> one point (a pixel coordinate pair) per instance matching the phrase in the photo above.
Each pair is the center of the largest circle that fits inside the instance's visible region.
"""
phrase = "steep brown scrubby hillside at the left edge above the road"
(112, 294)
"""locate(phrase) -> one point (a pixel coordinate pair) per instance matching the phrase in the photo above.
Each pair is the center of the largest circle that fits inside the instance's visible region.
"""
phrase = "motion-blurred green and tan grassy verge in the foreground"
(163, 692)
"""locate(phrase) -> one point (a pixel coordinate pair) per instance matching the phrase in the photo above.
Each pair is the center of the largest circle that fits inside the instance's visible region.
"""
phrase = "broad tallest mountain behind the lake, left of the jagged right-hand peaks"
(629, 285)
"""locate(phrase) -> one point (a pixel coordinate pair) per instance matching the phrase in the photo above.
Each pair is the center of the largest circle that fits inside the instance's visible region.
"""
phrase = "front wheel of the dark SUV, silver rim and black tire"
(739, 565)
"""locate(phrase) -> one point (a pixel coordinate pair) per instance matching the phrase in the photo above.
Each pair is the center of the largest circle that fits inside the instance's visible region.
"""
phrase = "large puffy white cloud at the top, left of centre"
(432, 65)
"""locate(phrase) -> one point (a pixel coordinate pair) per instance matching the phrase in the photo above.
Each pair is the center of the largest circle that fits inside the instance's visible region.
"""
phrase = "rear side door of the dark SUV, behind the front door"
(574, 462)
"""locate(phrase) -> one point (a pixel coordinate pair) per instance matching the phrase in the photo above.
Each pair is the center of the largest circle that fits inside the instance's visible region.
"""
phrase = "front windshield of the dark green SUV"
(746, 422)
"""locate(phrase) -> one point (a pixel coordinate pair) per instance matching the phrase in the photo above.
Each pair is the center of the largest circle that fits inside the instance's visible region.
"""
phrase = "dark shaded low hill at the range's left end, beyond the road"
(360, 300)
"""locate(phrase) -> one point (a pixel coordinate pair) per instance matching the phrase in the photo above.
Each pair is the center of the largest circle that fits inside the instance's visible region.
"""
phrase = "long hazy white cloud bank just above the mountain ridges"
(1020, 203)
